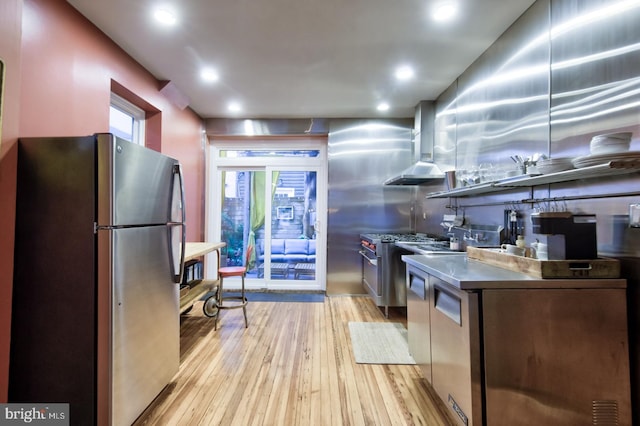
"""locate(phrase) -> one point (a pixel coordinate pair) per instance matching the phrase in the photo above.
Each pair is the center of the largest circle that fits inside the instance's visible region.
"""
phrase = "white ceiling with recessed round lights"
(304, 58)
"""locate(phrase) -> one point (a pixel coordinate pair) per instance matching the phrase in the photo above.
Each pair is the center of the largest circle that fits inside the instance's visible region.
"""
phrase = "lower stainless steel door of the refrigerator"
(145, 306)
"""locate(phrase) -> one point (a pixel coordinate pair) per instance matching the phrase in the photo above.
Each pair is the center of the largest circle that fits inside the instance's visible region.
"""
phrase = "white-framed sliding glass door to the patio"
(268, 217)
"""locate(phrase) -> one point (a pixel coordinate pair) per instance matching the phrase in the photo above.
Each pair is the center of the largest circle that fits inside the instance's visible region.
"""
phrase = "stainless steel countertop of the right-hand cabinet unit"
(469, 274)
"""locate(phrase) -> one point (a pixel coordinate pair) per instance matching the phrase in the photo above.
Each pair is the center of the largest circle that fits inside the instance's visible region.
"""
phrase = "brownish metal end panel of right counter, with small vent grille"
(558, 355)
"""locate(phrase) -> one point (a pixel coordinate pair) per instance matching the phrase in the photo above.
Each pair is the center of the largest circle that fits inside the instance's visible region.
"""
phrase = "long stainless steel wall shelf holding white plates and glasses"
(612, 168)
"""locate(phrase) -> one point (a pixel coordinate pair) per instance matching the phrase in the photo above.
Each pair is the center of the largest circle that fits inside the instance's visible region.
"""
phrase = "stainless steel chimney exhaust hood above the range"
(423, 169)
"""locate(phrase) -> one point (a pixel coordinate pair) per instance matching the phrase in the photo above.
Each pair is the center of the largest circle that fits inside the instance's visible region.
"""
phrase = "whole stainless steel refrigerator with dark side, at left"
(99, 249)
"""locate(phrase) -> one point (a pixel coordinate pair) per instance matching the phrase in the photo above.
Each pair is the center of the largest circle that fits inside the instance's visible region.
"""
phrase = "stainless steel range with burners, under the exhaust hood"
(383, 271)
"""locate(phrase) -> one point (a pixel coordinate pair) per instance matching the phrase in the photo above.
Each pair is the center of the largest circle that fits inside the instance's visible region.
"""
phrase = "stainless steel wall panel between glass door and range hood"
(362, 155)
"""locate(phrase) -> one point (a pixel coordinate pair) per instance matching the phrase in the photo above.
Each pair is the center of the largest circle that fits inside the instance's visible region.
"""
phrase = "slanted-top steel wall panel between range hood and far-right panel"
(503, 97)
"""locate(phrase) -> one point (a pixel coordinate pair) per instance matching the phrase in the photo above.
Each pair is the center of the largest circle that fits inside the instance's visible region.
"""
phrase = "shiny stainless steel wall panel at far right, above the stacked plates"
(595, 86)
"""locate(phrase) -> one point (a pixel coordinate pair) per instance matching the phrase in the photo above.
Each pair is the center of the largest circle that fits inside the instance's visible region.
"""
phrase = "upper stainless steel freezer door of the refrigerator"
(135, 184)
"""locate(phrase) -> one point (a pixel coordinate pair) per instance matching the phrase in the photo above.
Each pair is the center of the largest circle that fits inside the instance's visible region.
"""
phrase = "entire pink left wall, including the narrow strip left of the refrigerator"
(59, 84)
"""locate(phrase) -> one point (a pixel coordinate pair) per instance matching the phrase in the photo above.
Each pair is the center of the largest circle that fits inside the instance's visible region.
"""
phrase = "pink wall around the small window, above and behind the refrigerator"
(67, 70)
